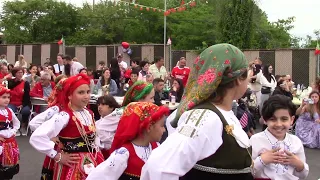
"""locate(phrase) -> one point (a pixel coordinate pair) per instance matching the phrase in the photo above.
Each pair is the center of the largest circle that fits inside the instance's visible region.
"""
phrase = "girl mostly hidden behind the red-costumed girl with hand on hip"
(54, 107)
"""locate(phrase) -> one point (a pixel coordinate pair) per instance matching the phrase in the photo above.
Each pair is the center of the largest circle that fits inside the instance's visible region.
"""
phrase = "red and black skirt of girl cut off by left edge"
(9, 158)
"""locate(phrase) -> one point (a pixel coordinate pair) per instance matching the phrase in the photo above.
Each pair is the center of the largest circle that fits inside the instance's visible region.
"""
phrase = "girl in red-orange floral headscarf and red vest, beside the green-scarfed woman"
(139, 130)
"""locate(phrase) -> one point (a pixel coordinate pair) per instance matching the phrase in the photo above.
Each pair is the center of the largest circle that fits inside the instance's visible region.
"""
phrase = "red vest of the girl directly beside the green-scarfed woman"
(134, 162)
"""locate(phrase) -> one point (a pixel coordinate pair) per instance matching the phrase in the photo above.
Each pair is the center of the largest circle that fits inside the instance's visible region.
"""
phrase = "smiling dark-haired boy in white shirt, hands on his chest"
(277, 154)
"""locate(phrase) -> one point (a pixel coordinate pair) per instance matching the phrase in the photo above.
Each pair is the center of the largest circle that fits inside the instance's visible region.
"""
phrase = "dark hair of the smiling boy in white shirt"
(275, 103)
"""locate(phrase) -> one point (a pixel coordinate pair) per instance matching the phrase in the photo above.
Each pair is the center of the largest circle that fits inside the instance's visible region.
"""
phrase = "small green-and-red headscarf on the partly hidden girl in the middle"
(136, 92)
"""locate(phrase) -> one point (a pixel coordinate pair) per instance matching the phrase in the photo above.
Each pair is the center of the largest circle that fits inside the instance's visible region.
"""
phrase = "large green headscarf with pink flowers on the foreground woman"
(209, 70)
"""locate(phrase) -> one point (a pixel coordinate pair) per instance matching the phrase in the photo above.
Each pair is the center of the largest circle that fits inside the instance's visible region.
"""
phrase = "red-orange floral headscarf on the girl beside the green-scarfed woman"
(136, 118)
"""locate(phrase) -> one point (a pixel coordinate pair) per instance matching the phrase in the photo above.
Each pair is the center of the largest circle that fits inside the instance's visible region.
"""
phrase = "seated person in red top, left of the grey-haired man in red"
(20, 98)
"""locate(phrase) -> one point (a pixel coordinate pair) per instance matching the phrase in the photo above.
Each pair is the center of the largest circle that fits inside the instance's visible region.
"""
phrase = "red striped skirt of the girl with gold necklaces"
(77, 172)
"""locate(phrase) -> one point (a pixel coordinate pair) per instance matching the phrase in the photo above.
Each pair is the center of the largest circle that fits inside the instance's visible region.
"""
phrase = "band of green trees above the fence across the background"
(240, 22)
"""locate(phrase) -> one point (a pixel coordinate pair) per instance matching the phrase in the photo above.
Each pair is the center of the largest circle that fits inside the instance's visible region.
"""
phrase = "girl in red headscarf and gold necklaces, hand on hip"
(75, 127)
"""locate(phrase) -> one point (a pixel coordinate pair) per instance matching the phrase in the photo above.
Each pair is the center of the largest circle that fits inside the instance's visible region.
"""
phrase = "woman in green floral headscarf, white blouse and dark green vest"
(209, 142)
